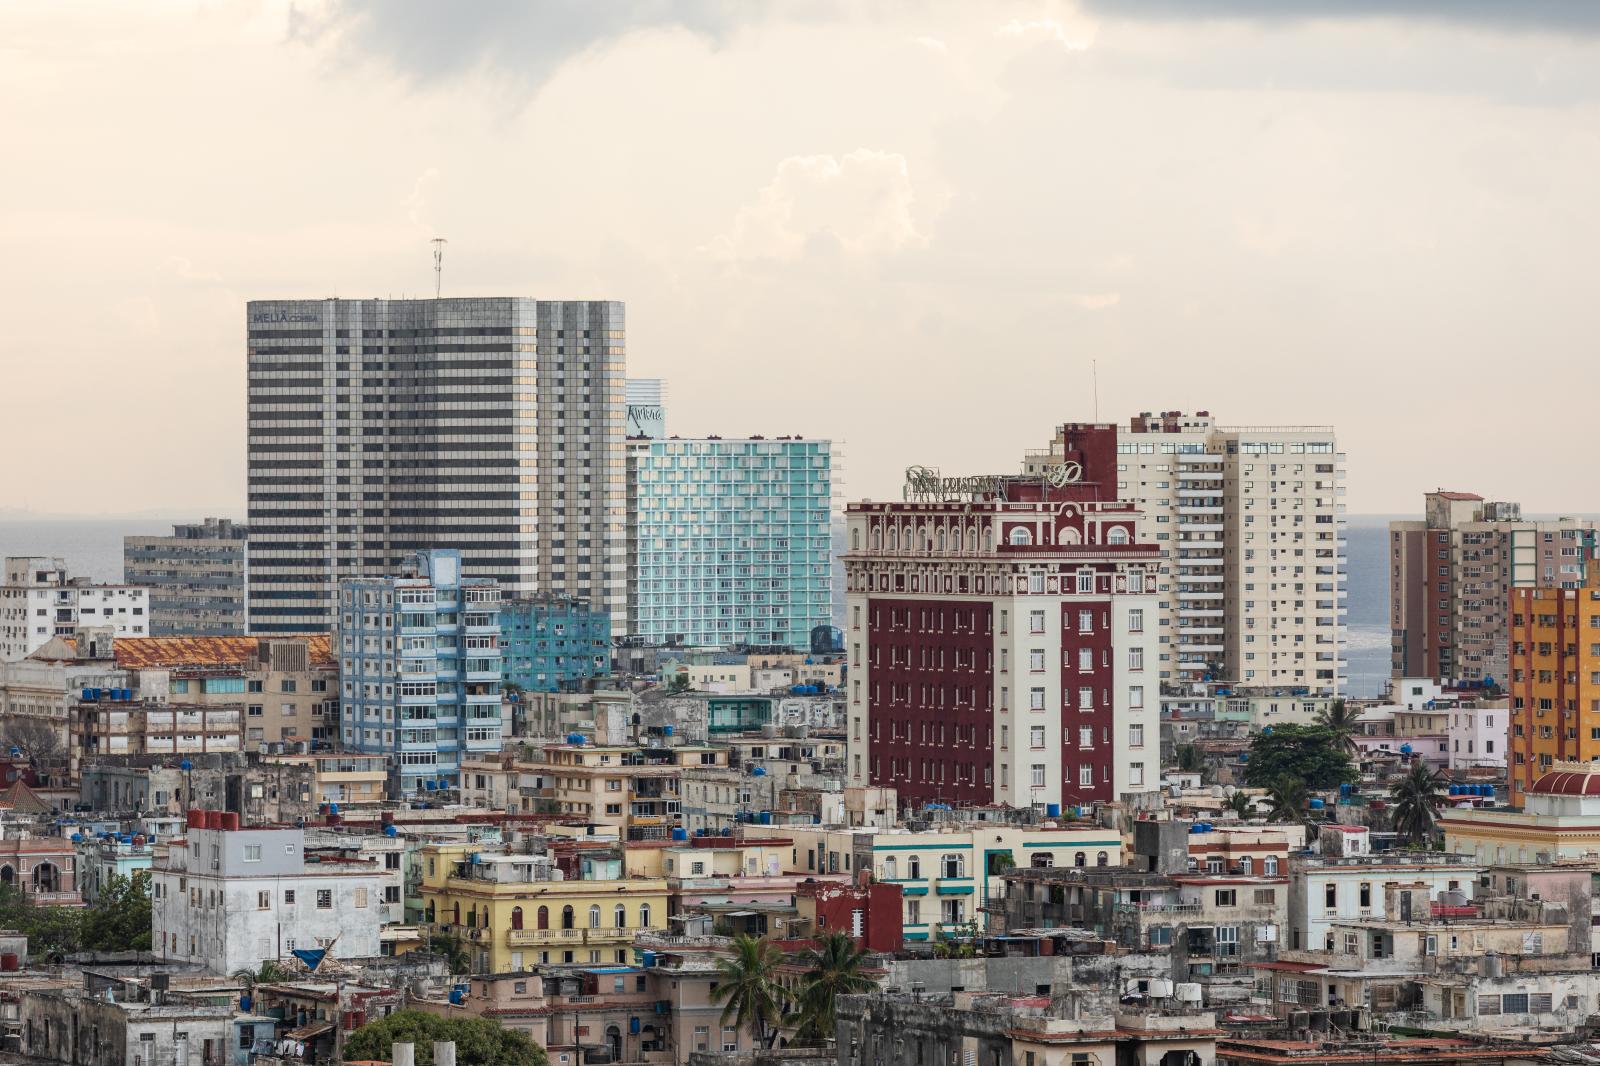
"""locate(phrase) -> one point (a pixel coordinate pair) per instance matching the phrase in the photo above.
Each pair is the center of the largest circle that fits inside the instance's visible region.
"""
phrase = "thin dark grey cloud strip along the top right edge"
(1562, 17)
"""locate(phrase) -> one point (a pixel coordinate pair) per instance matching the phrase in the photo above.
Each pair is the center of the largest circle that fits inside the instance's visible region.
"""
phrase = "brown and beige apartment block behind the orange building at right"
(1450, 577)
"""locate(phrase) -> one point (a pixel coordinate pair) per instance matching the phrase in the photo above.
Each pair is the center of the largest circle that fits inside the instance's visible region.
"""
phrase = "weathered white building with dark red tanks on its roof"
(233, 899)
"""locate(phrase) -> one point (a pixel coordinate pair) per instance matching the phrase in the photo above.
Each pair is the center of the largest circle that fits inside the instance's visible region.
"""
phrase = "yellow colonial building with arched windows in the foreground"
(518, 912)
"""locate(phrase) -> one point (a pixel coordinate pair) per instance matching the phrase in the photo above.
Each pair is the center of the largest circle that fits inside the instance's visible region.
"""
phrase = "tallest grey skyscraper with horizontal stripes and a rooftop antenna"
(382, 428)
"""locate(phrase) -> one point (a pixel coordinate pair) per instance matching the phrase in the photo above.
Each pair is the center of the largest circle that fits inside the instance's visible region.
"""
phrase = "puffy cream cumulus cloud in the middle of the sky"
(860, 204)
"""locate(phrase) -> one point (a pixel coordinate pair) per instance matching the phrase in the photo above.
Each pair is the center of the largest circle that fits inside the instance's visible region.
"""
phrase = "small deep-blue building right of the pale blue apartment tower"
(554, 643)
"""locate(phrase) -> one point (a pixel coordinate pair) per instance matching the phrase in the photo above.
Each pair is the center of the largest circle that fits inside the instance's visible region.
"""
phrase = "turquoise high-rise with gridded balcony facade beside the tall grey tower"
(730, 540)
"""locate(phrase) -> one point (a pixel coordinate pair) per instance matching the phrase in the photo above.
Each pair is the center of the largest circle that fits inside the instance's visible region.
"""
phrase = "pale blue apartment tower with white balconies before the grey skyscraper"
(420, 670)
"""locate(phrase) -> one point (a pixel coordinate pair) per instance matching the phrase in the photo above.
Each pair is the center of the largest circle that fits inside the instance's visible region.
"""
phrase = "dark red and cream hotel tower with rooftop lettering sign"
(1002, 636)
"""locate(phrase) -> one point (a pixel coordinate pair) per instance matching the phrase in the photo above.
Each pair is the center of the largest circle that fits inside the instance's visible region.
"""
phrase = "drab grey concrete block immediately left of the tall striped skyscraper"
(196, 579)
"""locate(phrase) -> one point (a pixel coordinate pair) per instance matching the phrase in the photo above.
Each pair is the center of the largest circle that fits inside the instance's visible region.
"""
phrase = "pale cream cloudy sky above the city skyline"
(919, 230)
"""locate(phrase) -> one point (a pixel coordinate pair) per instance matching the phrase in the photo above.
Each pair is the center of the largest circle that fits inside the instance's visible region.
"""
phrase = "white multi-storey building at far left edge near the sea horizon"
(39, 601)
